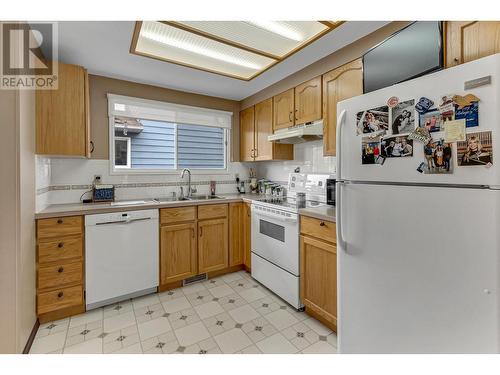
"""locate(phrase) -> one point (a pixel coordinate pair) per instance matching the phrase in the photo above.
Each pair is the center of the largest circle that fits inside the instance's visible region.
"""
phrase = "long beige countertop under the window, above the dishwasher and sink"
(70, 209)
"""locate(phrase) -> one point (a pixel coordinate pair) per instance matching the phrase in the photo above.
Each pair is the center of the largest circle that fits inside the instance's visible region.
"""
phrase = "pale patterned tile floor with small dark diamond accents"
(229, 314)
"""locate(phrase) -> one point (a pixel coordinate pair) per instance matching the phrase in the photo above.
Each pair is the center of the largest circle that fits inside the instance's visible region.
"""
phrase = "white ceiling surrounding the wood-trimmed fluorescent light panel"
(103, 47)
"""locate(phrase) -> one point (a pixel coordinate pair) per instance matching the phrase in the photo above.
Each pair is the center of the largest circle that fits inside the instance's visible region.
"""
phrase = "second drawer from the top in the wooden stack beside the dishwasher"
(60, 250)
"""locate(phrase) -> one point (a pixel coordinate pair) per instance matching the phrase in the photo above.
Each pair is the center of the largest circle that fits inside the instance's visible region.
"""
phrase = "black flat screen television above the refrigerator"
(411, 52)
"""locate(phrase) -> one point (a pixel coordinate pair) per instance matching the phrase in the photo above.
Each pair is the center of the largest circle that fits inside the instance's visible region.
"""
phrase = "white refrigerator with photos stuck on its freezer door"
(418, 254)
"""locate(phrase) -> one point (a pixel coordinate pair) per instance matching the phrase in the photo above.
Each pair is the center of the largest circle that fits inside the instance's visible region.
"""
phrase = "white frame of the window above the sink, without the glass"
(120, 170)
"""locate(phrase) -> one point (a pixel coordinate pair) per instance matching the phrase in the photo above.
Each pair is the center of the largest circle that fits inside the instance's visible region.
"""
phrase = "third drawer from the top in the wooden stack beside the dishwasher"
(60, 274)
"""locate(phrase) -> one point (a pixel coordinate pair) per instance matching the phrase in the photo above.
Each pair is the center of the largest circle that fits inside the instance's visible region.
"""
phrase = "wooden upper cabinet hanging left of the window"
(62, 115)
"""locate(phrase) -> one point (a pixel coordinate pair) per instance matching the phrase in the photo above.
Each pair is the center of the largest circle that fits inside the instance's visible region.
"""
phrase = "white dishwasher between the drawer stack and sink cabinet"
(121, 256)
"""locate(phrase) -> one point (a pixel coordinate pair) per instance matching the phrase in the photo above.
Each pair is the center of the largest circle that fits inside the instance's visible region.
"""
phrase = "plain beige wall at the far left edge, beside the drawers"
(17, 224)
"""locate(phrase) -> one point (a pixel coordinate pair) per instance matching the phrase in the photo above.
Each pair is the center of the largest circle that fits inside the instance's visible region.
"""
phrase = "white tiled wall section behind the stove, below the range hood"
(308, 156)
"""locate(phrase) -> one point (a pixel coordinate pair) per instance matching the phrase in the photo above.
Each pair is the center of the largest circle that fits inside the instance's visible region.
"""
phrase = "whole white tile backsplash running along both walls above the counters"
(64, 180)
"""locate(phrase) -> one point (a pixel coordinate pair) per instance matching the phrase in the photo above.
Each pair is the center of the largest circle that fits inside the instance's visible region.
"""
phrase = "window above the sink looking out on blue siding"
(155, 137)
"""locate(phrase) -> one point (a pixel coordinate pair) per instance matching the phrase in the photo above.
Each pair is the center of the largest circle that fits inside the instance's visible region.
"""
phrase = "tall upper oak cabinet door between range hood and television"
(339, 84)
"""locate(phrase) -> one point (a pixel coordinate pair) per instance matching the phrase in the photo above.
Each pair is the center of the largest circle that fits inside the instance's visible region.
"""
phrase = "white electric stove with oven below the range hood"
(275, 235)
